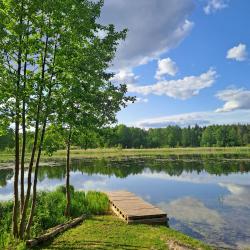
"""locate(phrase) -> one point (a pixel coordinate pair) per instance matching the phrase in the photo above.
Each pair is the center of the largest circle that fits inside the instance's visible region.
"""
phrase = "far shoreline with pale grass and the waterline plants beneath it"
(7, 162)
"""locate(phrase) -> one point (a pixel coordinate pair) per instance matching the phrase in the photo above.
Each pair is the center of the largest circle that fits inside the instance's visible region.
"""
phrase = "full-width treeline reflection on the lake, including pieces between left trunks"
(121, 168)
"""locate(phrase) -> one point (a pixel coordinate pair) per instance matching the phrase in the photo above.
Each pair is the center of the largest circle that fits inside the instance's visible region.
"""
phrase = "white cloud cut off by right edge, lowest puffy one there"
(234, 99)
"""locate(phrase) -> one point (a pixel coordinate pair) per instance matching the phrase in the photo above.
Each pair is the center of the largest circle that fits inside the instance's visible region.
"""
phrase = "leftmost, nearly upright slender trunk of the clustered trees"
(17, 150)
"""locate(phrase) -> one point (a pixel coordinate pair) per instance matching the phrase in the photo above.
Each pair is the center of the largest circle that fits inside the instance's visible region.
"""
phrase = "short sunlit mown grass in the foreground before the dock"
(109, 232)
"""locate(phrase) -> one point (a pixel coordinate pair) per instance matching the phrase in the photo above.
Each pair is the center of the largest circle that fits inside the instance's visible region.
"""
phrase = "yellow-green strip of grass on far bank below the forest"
(117, 152)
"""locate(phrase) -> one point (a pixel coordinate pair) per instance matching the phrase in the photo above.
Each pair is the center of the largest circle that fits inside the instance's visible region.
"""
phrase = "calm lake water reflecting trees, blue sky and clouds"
(206, 197)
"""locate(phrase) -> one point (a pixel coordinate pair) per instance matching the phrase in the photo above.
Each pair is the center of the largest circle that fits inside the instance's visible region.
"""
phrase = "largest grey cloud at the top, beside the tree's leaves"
(154, 27)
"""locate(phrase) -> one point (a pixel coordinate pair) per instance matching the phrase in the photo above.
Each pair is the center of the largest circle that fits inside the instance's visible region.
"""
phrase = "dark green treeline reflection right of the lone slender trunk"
(171, 166)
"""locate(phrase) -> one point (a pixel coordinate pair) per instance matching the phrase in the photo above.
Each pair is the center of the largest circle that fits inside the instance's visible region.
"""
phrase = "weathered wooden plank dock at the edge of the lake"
(133, 209)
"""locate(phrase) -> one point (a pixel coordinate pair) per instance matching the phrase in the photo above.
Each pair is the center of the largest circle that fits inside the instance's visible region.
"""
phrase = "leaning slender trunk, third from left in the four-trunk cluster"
(26, 201)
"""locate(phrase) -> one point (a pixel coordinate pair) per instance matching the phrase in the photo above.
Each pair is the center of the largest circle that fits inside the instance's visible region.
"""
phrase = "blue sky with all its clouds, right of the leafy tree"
(201, 51)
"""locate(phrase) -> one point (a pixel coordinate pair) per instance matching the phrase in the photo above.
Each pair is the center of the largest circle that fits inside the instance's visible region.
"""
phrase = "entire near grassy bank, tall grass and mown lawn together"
(96, 232)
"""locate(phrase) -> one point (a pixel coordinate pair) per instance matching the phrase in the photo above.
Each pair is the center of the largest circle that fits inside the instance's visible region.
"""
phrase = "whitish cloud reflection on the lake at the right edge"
(239, 195)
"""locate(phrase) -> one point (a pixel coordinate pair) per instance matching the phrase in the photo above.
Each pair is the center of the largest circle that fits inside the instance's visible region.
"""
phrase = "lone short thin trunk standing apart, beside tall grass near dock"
(67, 209)
